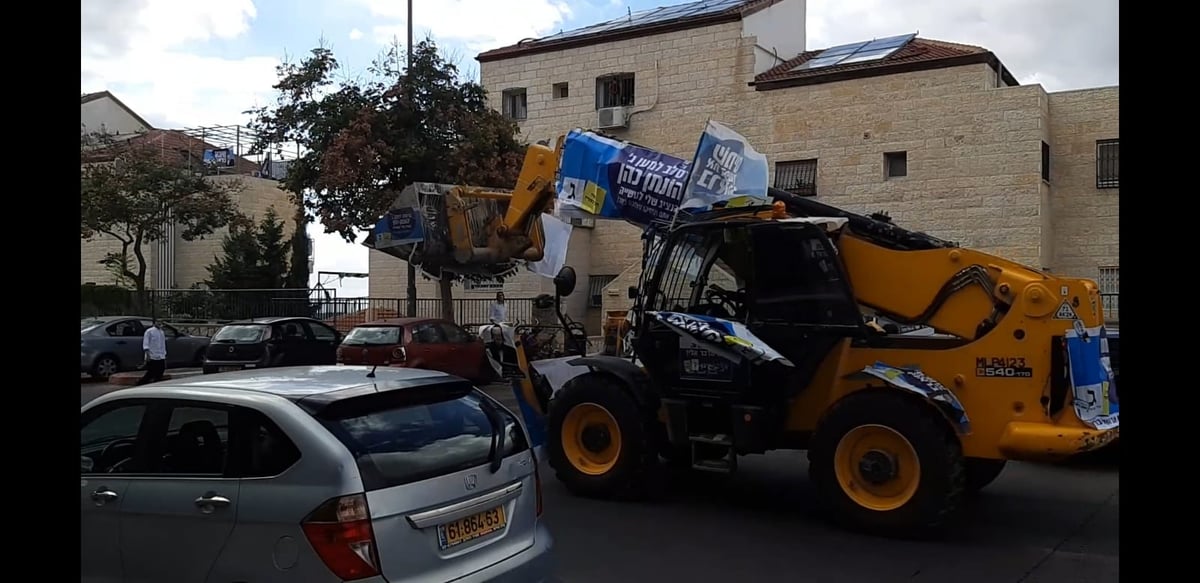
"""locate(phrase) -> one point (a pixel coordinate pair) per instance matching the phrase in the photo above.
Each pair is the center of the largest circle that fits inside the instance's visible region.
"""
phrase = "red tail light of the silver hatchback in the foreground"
(340, 531)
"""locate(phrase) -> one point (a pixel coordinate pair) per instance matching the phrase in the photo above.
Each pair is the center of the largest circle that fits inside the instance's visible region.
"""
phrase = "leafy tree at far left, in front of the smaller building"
(130, 194)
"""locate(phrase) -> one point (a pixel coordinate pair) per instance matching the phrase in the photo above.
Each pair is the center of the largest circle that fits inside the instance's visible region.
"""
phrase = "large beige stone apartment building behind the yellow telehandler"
(939, 135)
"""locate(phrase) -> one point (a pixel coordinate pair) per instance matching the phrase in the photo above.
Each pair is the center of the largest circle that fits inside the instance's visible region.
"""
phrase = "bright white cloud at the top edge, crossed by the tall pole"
(476, 25)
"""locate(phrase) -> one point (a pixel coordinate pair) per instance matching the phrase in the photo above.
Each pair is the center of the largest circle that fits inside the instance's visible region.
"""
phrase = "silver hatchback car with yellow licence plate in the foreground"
(309, 476)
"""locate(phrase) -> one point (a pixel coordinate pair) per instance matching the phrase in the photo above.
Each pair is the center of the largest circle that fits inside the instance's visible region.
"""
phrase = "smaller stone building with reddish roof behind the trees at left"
(175, 263)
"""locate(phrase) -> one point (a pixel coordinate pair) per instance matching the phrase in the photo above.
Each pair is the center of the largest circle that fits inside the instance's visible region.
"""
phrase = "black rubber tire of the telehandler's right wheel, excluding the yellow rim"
(943, 477)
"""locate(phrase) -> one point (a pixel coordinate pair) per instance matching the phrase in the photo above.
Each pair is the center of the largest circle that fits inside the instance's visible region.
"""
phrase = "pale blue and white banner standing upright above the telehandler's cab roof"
(727, 172)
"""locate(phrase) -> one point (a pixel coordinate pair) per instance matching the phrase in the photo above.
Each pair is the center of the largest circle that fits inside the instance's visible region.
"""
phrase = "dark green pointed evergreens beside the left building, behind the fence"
(254, 256)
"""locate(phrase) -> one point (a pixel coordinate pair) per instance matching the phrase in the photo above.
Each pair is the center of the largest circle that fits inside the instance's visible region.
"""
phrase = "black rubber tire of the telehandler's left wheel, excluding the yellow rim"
(633, 474)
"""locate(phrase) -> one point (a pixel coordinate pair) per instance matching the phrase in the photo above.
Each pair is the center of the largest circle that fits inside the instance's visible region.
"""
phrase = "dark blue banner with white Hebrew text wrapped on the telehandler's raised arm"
(613, 179)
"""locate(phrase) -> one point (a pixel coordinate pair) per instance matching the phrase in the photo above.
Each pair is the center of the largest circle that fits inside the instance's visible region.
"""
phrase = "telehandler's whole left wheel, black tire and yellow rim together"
(602, 443)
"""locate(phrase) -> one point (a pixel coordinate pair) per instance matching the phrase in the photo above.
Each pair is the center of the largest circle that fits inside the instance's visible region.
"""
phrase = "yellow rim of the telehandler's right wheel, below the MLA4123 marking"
(878, 467)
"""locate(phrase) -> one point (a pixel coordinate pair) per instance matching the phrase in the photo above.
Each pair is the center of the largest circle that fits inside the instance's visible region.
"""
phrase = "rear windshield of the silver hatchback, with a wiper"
(411, 435)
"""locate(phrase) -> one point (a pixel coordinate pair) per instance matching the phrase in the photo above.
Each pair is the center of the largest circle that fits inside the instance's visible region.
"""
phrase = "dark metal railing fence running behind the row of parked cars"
(200, 308)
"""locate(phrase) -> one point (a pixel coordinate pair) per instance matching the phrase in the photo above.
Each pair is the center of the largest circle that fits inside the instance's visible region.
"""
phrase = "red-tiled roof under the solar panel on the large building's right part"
(920, 53)
